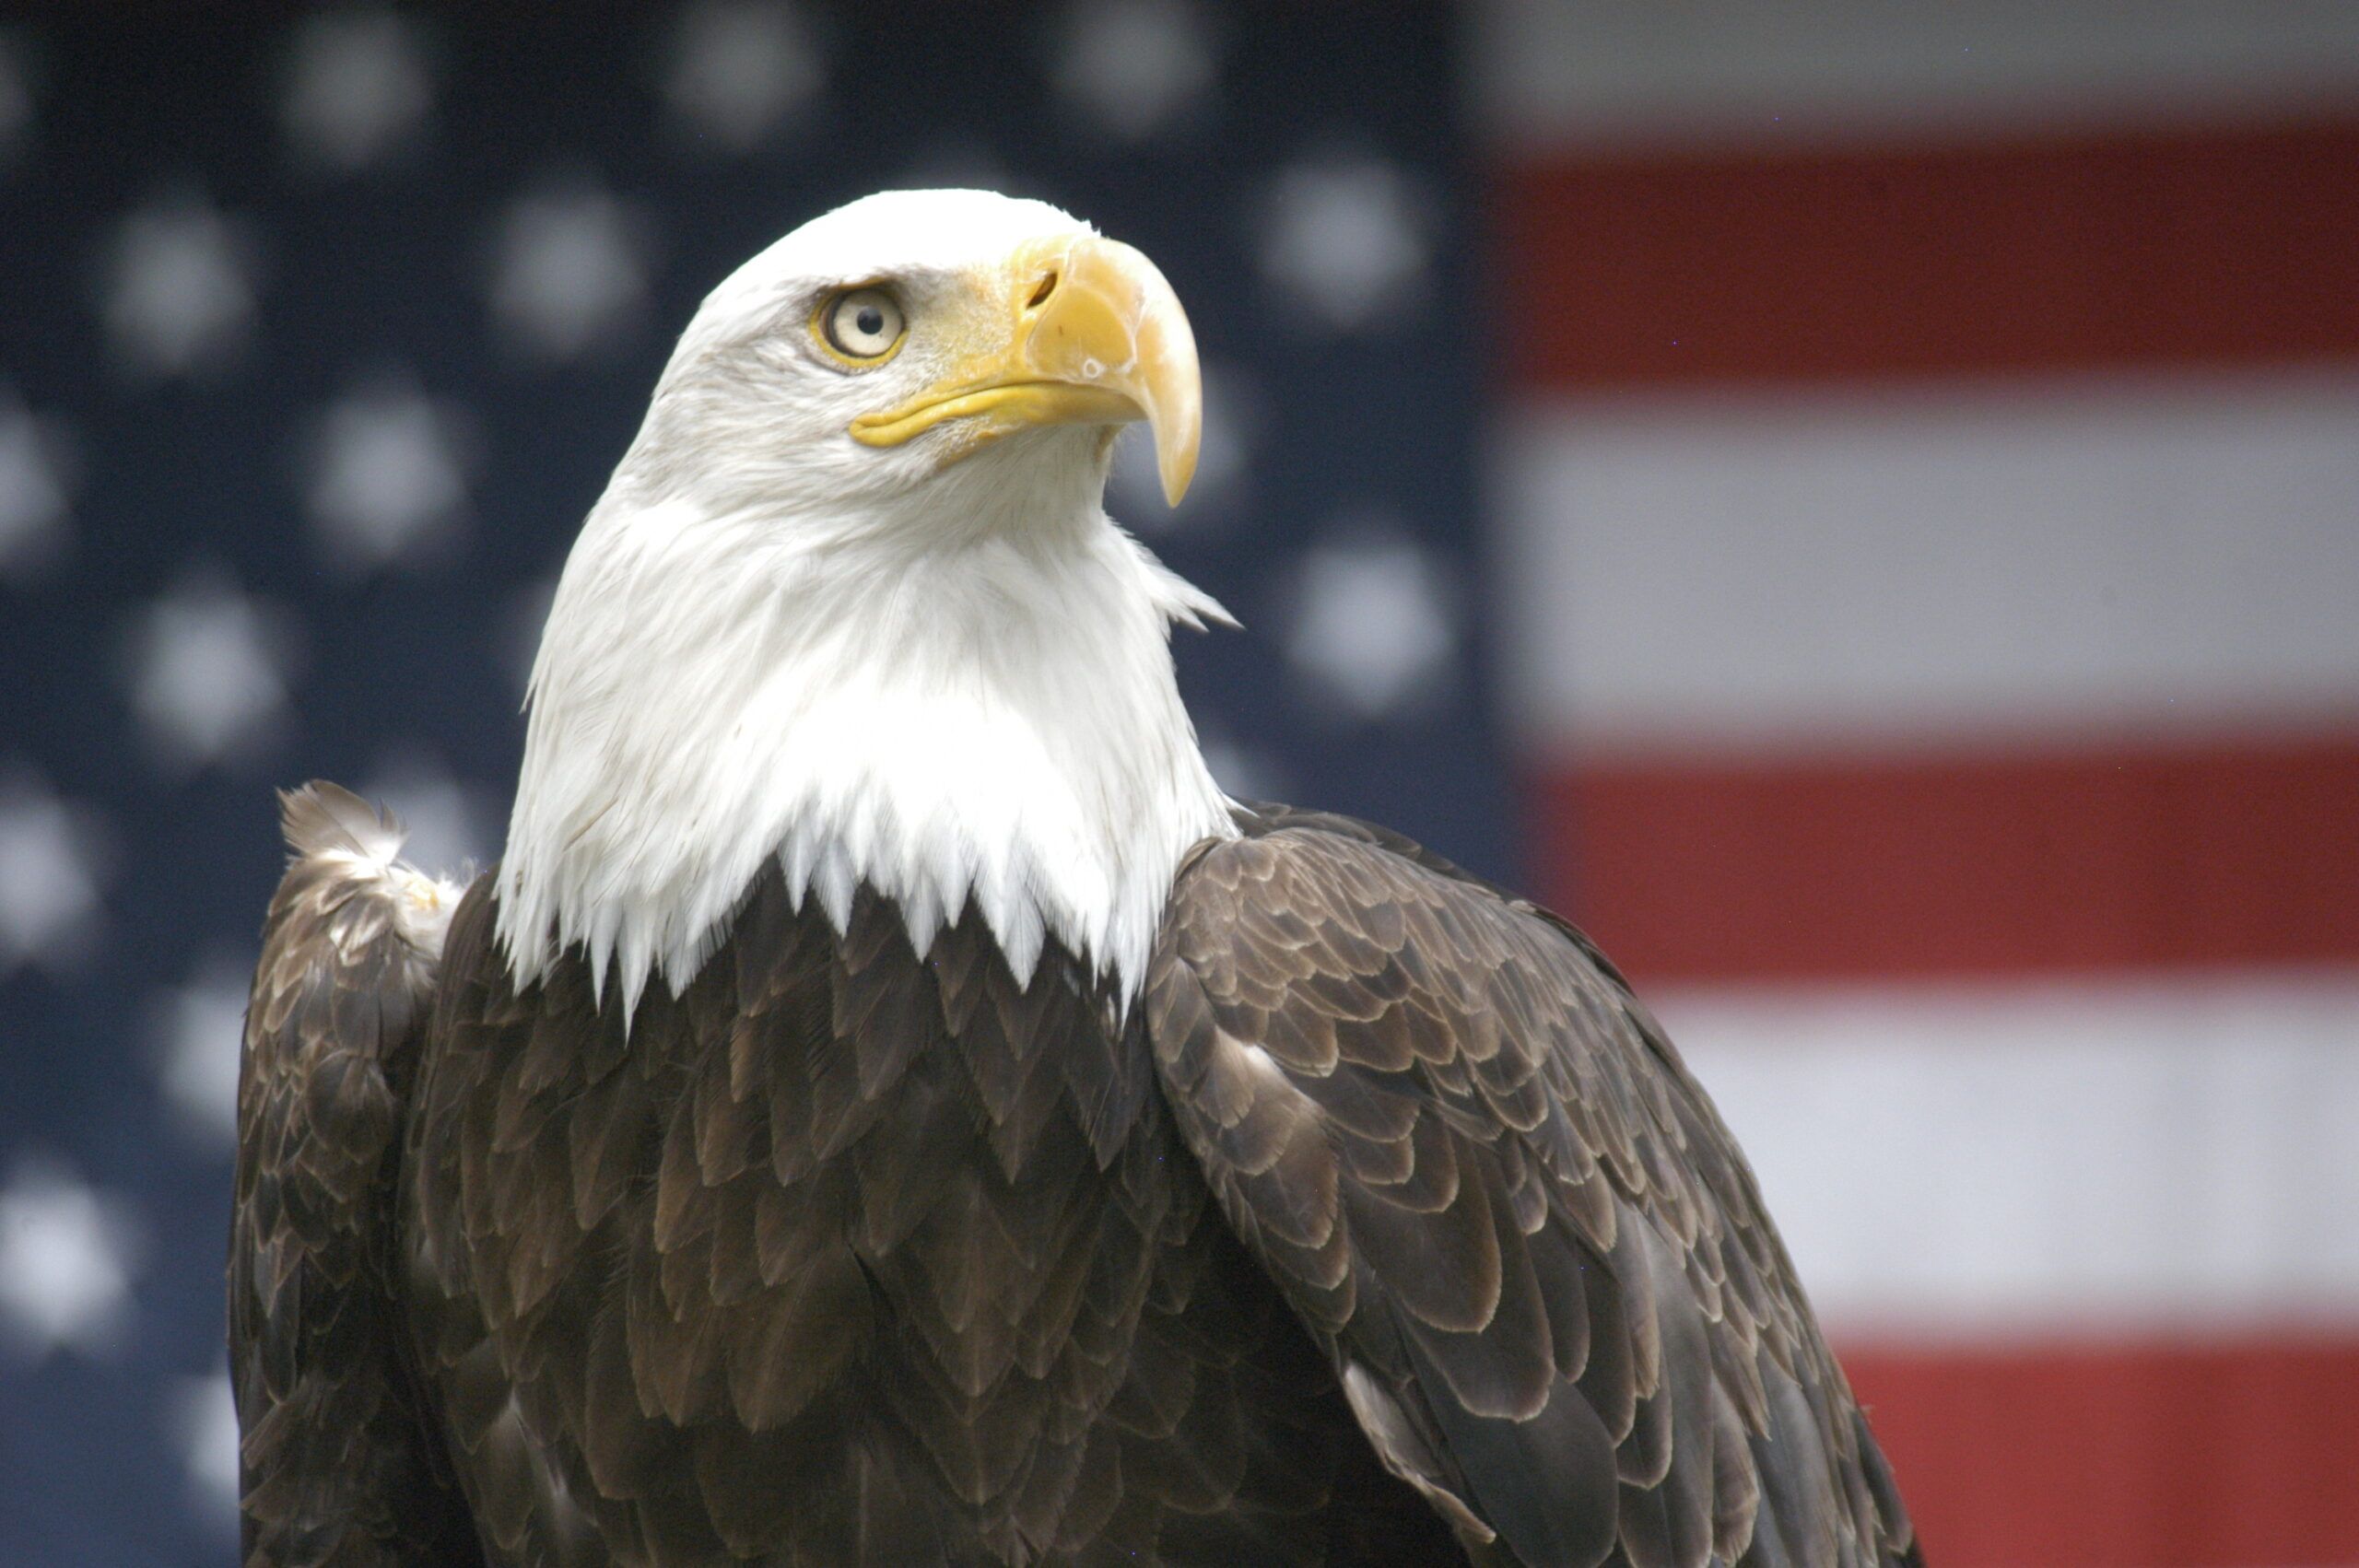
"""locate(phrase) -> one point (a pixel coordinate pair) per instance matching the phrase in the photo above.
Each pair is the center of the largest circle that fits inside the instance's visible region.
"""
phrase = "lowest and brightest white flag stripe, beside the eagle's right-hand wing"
(2058, 1159)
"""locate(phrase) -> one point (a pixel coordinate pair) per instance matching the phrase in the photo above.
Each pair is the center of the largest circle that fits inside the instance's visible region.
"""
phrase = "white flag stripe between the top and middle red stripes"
(1997, 562)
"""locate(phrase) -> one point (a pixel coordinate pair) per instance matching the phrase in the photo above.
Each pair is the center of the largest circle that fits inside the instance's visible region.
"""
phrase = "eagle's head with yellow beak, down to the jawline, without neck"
(902, 336)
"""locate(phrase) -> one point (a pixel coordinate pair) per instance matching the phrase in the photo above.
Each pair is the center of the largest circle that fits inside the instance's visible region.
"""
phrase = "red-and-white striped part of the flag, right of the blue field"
(1931, 534)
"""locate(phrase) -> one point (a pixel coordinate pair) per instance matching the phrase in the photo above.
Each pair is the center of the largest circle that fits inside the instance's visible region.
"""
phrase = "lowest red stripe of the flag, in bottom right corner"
(2167, 1456)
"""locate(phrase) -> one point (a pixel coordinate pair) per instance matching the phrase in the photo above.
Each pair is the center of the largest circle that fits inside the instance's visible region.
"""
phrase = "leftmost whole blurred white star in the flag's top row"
(357, 86)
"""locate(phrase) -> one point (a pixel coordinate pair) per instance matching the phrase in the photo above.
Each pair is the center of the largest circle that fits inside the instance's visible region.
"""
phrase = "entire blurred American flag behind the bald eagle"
(1855, 503)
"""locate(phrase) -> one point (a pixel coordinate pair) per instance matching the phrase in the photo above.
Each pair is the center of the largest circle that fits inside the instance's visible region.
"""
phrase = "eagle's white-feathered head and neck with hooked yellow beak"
(853, 607)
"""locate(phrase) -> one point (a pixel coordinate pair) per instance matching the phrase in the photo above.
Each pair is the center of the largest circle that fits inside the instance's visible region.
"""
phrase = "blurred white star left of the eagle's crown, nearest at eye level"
(567, 270)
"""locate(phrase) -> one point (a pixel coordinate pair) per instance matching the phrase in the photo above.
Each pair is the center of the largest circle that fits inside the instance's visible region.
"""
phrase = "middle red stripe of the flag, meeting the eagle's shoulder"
(1950, 867)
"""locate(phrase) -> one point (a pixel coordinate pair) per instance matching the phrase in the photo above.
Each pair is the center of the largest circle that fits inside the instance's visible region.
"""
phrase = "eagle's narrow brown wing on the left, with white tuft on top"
(336, 1465)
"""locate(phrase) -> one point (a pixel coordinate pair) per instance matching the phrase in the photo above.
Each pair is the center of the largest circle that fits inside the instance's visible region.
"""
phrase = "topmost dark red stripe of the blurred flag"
(2212, 246)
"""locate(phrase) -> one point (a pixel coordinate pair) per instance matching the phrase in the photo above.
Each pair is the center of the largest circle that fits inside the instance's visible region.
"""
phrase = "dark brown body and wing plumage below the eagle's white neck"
(1384, 1227)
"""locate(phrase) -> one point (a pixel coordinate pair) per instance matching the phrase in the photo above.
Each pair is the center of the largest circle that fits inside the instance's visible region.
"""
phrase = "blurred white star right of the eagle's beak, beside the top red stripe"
(1346, 239)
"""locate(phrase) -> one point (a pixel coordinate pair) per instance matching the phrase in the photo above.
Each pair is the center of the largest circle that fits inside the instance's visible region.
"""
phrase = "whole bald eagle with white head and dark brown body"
(891, 1107)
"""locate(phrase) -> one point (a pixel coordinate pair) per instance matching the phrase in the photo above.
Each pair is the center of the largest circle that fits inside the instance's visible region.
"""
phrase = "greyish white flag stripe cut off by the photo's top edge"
(1558, 74)
